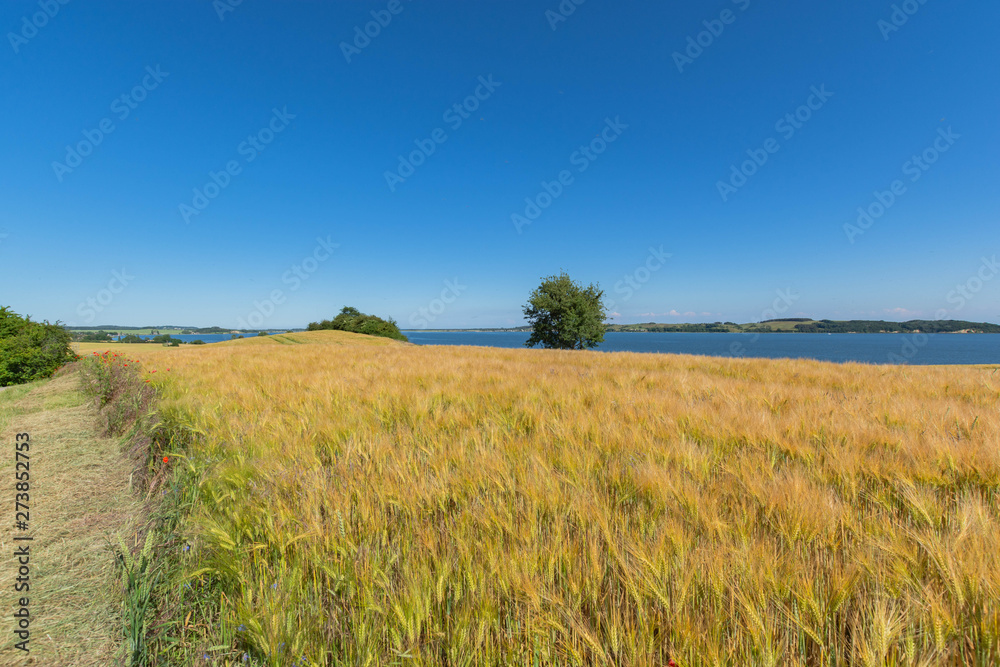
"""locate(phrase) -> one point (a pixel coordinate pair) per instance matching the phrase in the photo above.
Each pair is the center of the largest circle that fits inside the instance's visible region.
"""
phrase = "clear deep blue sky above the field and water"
(643, 124)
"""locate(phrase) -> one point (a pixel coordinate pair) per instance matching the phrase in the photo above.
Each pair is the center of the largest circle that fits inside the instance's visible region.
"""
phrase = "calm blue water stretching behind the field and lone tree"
(867, 348)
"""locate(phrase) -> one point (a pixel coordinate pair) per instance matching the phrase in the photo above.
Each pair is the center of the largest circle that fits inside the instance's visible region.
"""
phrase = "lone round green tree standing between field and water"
(565, 315)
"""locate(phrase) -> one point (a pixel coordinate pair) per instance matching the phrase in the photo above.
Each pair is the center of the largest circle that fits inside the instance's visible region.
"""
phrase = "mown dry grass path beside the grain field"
(80, 499)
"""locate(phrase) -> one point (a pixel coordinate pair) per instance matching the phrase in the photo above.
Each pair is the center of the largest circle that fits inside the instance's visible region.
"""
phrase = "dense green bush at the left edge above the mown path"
(30, 350)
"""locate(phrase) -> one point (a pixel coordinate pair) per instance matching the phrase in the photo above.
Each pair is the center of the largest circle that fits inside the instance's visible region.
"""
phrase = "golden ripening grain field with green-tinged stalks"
(362, 502)
